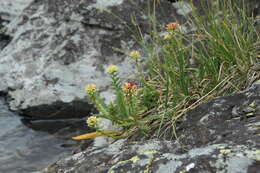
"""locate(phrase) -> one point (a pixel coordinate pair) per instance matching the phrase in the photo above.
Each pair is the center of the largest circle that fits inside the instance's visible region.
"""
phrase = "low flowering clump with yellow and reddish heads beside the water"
(127, 110)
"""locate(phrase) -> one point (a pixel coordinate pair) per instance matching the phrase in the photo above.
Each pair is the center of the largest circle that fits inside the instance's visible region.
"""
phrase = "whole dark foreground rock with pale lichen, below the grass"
(216, 137)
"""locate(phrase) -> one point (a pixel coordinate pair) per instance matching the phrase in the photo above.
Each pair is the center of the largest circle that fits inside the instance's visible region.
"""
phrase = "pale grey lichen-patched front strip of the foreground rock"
(159, 157)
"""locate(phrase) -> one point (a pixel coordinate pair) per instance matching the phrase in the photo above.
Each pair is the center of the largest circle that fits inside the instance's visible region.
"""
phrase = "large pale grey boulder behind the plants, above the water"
(59, 46)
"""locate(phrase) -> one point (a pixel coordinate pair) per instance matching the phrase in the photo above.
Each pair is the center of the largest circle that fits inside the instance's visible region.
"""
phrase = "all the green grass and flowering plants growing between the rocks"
(185, 69)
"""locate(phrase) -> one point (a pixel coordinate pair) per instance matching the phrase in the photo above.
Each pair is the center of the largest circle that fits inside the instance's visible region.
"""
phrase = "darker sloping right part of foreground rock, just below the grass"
(233, 119)
